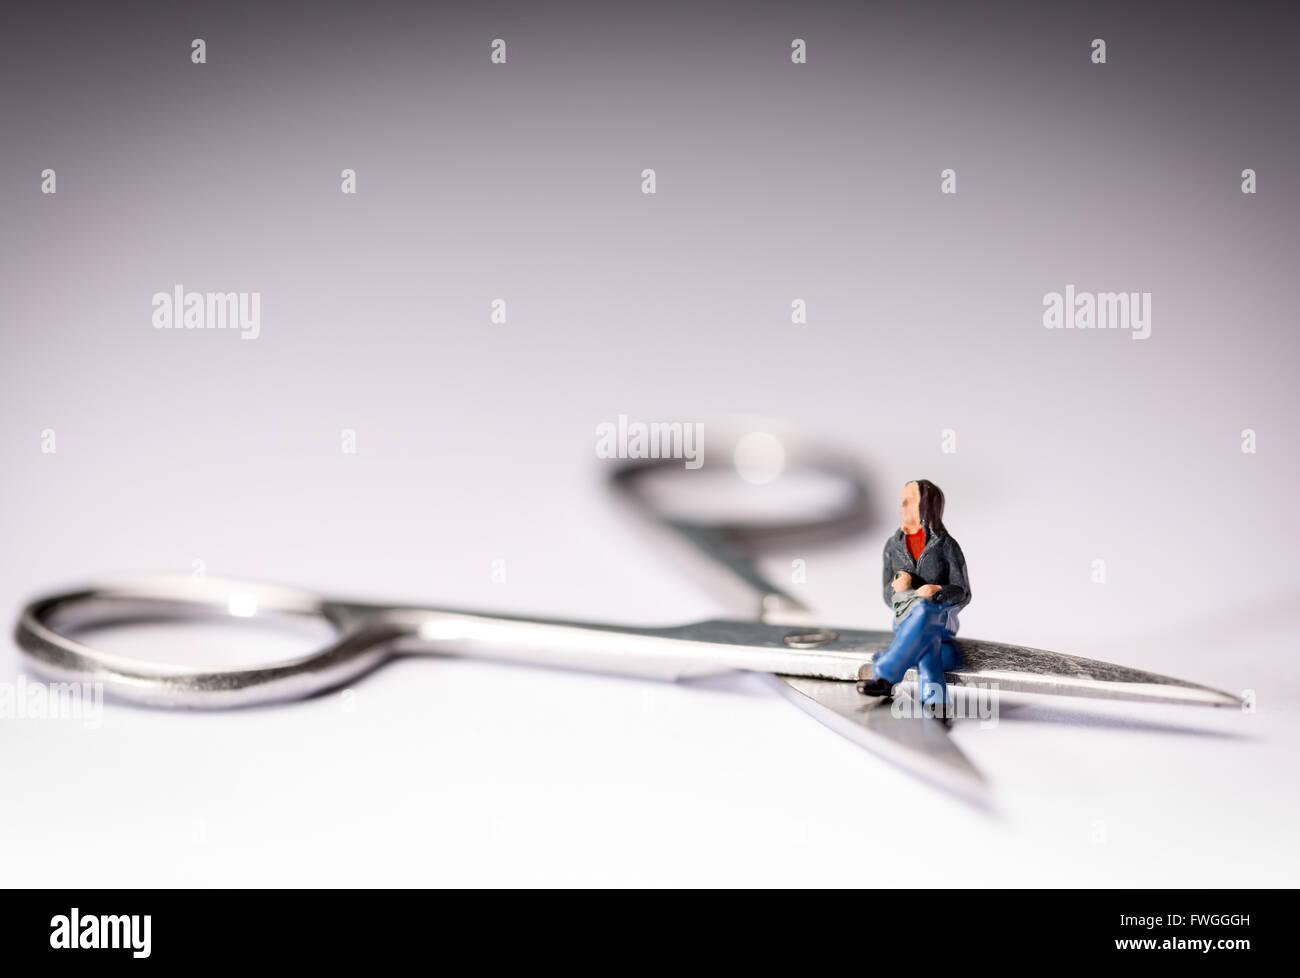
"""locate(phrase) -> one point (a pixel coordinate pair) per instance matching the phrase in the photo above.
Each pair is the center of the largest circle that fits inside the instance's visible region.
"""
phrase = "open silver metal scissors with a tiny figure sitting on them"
(777, 634)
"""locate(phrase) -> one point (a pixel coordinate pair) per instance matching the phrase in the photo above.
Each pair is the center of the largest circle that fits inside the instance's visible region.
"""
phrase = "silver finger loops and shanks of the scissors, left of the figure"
(369, 634)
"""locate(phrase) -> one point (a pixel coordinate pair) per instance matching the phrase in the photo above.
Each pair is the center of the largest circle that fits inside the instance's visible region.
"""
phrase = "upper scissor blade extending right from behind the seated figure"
(1017, 669)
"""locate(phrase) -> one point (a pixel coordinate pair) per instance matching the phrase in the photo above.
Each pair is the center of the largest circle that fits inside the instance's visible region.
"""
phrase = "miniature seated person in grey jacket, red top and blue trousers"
(925, 583)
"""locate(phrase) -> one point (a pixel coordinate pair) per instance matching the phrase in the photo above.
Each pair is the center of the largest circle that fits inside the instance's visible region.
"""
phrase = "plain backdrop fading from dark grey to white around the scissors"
(775, 181)
